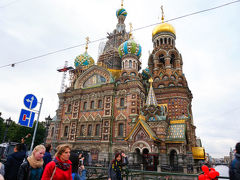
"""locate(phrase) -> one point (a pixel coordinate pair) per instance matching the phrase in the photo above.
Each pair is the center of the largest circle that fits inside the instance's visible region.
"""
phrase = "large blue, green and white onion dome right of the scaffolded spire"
(130, 47)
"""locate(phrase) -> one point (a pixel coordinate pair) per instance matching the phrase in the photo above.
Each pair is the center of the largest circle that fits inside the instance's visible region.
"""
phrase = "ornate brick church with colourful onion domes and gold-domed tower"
(113, 105)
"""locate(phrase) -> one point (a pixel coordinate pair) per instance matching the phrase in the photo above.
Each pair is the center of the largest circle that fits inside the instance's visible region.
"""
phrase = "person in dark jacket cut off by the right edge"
(234, 170)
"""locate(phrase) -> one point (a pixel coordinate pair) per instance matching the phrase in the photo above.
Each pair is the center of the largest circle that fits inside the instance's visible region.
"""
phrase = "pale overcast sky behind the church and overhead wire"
(209, 43)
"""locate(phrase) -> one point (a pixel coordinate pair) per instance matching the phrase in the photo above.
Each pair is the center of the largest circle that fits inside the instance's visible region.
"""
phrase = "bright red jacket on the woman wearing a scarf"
(59, 173)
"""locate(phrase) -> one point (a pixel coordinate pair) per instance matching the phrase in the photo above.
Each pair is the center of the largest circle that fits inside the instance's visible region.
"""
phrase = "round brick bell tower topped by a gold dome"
(169, 82)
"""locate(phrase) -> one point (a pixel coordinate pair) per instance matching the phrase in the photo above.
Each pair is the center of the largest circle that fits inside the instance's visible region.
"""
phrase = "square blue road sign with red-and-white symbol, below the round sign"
(26, 118)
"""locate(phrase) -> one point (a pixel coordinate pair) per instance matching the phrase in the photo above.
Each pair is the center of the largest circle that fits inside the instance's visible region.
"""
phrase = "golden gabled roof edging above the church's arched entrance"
(141, 122)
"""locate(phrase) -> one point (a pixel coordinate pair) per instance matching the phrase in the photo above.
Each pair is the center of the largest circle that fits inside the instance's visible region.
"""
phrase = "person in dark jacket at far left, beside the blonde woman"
(13, 163)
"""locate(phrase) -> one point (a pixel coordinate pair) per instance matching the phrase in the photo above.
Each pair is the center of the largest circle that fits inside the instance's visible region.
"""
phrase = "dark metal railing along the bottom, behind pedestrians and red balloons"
(99, 173)
